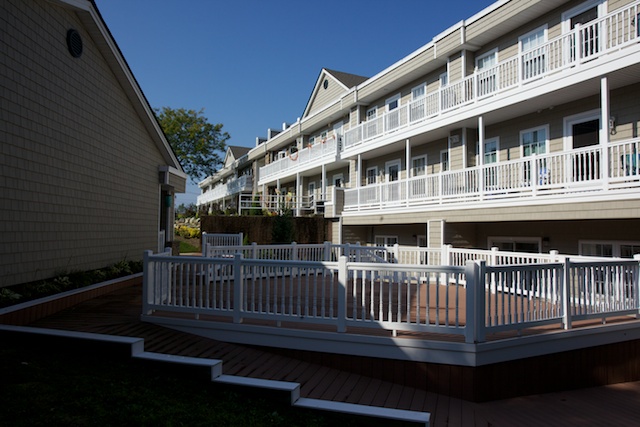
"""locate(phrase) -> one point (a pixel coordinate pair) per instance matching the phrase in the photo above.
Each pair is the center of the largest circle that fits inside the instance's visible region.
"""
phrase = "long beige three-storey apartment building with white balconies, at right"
(515, 128)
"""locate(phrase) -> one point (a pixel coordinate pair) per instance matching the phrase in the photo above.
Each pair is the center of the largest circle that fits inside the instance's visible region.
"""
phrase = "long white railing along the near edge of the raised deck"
(473, 300)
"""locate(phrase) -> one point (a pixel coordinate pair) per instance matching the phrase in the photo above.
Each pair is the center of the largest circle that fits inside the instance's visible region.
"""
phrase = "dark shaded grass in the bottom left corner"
(61, 387)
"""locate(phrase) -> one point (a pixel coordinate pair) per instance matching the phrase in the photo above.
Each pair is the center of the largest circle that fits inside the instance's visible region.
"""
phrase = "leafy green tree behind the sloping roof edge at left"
(197, 143)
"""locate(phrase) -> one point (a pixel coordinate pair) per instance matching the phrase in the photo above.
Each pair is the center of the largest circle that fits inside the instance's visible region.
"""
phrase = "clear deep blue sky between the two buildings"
(252, 64)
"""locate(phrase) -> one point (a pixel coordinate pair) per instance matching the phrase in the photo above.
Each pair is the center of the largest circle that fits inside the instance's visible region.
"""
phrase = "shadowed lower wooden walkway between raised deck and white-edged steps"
(118, 313)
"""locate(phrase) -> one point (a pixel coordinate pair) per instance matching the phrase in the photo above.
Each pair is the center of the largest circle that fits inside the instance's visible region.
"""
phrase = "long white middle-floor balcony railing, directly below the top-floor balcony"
(572, 172)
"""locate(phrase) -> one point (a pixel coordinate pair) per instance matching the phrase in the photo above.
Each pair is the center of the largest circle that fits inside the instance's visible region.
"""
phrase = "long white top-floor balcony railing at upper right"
(582, 44)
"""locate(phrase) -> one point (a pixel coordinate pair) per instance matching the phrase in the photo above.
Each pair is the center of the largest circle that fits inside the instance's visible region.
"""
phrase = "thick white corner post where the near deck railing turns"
(475, 311)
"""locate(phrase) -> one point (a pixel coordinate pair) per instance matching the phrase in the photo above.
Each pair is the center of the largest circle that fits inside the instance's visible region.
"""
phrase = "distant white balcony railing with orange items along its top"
(288, 162)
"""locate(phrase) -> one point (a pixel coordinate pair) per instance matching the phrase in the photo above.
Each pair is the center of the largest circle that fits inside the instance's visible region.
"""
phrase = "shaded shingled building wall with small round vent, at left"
(87, 177)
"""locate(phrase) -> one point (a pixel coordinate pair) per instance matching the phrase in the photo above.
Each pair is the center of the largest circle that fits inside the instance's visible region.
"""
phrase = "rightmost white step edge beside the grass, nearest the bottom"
(421, 418)
